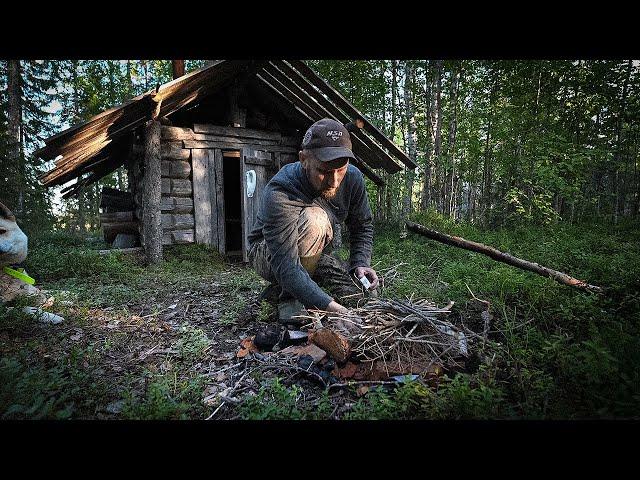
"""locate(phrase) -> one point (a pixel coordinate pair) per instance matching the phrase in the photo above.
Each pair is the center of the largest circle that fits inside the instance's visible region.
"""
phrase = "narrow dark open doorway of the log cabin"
(232, 202)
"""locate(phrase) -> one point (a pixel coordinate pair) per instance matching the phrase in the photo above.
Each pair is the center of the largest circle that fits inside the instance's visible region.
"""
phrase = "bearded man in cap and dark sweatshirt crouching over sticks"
(301, 205)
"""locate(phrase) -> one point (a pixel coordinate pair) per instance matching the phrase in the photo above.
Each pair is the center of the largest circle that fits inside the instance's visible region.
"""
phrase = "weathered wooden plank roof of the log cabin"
(98, 146)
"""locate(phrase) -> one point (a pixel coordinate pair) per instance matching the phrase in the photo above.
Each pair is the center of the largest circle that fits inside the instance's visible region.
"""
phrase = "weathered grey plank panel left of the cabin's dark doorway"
(208, 197)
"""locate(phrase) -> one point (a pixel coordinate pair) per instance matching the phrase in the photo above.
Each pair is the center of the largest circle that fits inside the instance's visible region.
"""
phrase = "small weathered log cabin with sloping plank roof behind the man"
(199, 150)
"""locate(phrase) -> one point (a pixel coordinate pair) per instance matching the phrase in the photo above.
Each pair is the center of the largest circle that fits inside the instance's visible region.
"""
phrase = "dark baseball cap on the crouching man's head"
(329, 140)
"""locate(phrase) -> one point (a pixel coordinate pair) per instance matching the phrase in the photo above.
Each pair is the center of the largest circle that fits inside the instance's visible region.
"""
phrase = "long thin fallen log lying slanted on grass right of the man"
(503, 257)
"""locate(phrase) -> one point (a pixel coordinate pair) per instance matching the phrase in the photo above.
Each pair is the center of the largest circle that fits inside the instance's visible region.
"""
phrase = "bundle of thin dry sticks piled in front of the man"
(409, 336)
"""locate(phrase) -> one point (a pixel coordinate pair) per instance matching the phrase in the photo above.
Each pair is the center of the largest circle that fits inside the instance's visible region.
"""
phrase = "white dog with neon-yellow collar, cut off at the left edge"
(15, 282)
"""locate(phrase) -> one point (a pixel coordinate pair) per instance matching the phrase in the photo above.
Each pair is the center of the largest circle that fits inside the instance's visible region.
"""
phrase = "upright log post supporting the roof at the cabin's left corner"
(151, 219)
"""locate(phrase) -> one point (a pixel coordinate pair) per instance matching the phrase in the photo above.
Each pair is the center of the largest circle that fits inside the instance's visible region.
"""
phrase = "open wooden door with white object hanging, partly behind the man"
(258, 166)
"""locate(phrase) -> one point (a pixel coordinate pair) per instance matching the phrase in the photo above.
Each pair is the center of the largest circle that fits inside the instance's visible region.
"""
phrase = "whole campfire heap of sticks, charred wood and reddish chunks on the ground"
(379, 339)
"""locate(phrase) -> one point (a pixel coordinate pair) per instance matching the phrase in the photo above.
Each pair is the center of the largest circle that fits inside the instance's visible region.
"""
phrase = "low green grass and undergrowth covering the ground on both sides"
(557, 353)
